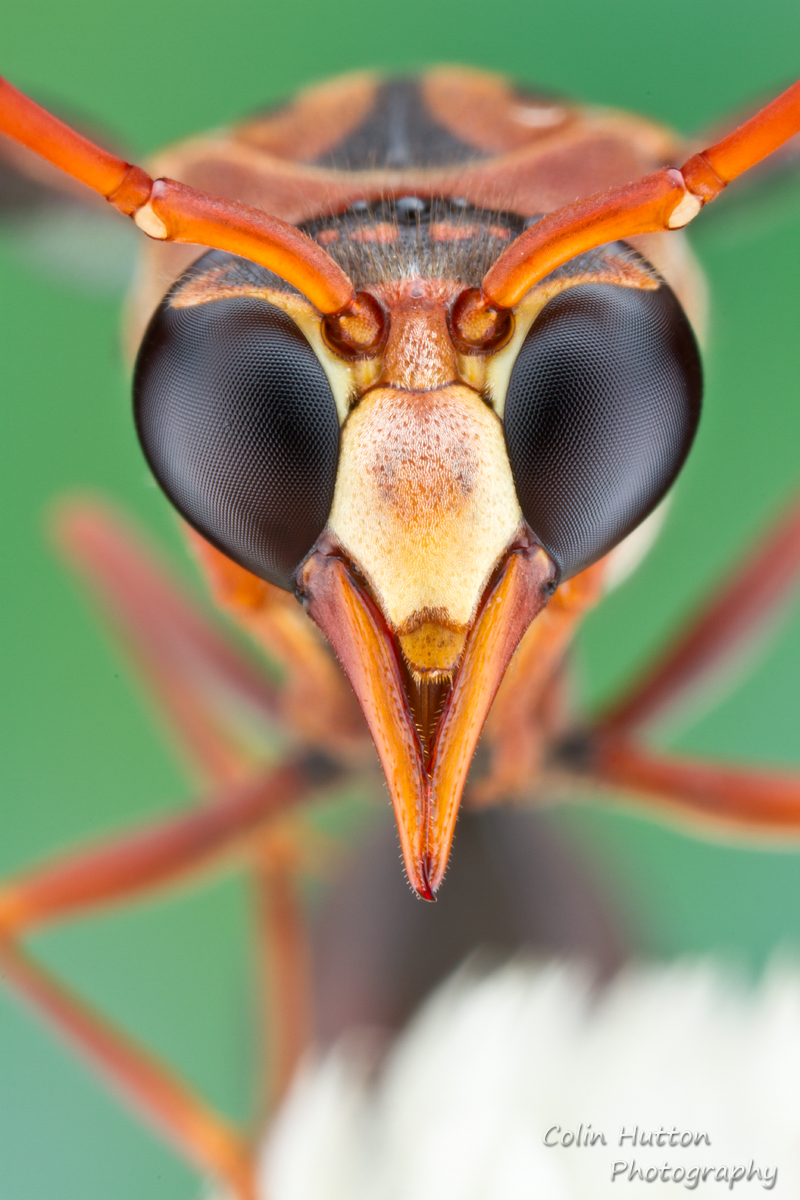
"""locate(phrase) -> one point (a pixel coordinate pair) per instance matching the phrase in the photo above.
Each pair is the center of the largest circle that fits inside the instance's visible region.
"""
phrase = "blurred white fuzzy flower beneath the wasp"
(491, 1070)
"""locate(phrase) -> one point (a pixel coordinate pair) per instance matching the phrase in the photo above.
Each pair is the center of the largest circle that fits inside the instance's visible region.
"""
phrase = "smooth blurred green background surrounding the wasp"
(82, 755)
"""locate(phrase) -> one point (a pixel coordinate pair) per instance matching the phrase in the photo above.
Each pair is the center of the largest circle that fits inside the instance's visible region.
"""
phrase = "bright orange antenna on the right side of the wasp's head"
(667, 200)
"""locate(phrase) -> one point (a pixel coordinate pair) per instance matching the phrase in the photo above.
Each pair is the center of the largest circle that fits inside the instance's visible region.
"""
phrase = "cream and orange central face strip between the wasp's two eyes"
(425, 503)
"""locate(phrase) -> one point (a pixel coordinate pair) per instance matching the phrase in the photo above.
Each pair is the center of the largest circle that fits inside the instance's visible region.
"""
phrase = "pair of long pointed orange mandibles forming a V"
(426, 790)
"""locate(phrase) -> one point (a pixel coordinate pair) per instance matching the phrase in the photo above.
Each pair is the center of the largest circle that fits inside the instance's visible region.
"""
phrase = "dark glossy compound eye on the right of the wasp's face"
(601, 411)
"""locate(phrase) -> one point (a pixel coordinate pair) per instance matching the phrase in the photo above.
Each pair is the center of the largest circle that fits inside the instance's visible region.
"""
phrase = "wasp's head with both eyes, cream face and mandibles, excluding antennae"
(422, 501)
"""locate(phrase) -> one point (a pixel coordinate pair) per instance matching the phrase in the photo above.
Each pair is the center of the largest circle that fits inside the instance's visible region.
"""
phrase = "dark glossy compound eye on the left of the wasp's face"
(238, 422)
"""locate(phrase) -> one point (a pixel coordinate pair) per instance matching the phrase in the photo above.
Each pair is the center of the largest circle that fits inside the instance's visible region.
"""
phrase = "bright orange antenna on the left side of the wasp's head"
(171, 212)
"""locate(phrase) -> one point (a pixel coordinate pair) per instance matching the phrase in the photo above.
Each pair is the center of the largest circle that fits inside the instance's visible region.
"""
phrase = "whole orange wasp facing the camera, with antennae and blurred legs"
(417, 368)
